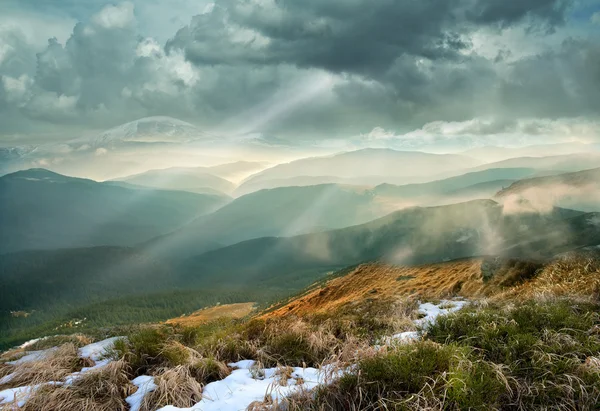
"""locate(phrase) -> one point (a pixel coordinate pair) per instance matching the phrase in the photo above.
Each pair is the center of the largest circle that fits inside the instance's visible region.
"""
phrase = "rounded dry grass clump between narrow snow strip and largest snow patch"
(175, 386)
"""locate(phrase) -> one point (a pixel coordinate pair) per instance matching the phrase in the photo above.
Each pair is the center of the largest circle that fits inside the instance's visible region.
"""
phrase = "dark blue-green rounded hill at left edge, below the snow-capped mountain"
(40, 209)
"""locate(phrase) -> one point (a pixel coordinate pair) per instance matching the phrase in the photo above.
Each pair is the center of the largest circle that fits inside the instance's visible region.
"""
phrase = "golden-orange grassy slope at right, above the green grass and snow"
(471, 278)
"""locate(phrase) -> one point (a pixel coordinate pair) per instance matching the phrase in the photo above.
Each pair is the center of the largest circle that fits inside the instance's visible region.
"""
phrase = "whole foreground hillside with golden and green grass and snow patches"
(371, 335)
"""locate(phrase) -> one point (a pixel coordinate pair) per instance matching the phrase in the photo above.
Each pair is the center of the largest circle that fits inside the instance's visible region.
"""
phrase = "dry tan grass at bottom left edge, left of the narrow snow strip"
(101, 390)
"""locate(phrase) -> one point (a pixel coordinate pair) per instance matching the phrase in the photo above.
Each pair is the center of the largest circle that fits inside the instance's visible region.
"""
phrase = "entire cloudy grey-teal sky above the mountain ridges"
(313, 72)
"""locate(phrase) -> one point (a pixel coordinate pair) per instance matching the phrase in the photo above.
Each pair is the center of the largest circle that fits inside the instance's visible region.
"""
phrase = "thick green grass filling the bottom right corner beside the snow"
(539, 355)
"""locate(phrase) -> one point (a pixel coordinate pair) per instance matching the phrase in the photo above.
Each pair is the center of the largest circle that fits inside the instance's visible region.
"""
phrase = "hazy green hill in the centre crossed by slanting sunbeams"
(285, 211)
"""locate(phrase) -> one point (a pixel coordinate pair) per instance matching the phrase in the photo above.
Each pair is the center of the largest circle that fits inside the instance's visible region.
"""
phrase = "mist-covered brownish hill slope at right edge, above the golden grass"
(579, 190)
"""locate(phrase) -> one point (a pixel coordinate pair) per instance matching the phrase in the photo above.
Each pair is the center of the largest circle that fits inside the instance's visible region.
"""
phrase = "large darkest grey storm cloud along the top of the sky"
(362, 37)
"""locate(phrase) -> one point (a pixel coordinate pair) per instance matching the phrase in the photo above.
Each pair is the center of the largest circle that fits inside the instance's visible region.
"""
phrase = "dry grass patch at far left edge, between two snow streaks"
(61, 362)
